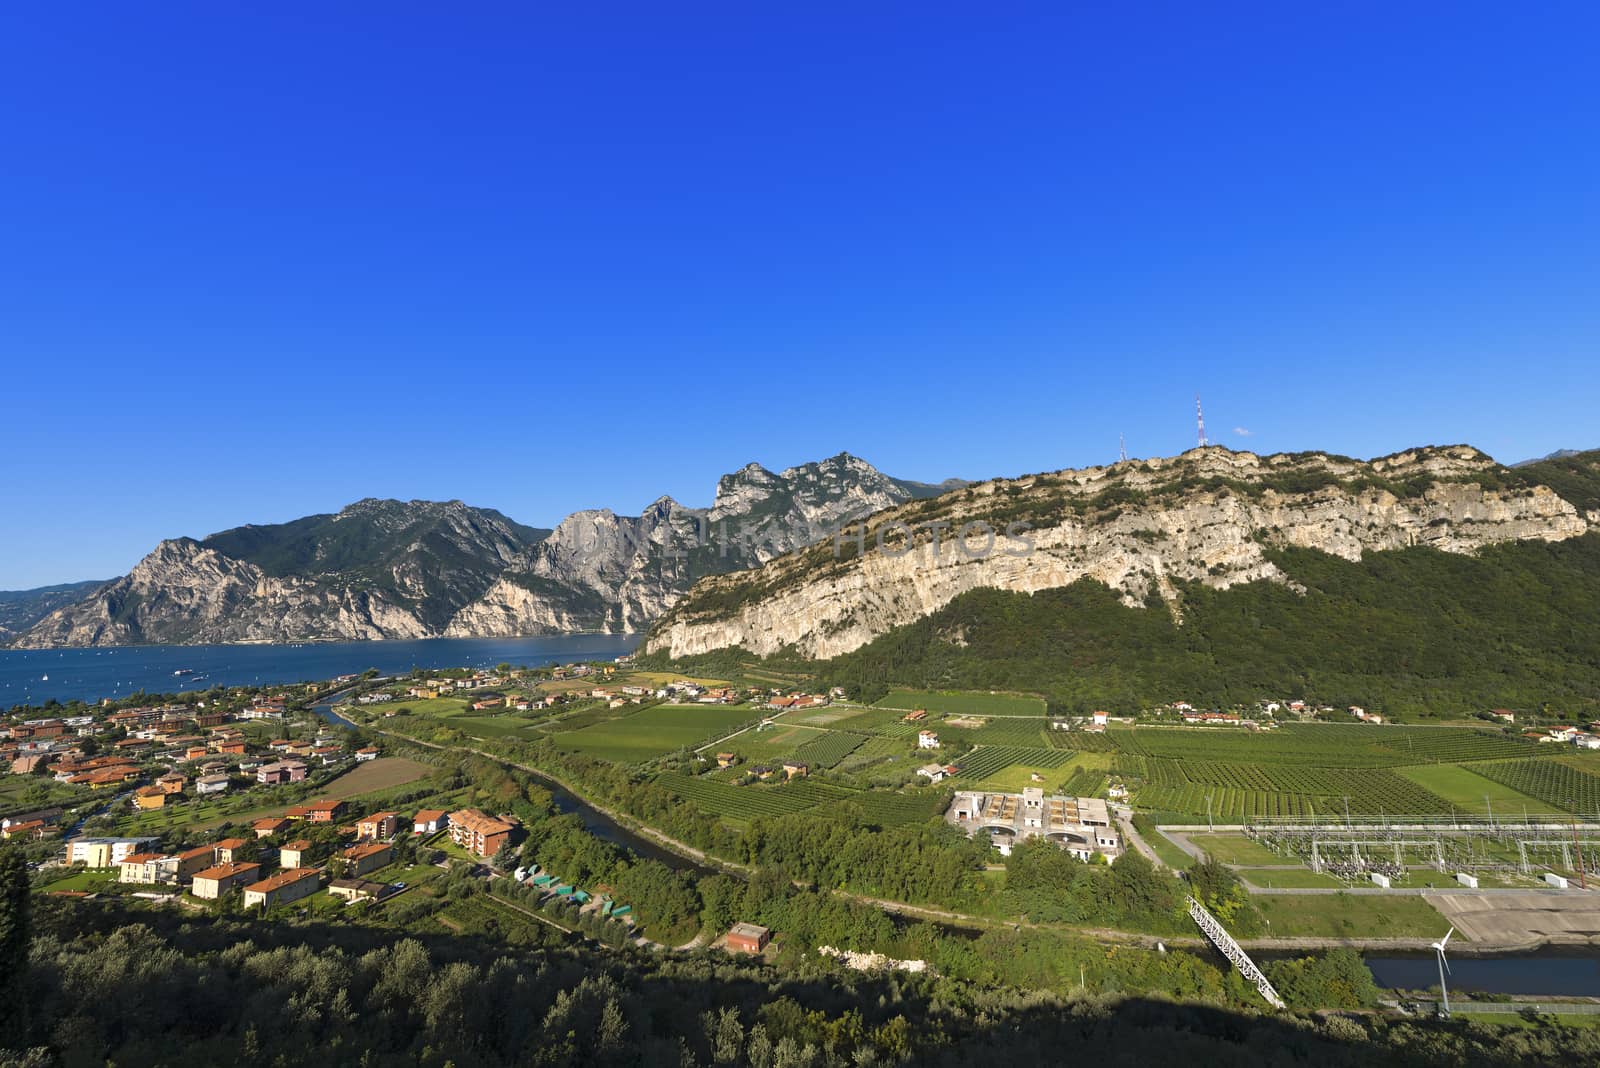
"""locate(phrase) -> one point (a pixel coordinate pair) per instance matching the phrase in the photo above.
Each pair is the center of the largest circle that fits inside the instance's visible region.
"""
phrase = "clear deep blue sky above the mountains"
(257, 266)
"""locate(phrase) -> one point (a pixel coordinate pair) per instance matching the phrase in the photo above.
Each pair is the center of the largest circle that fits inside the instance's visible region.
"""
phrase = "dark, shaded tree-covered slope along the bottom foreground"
(105, 982)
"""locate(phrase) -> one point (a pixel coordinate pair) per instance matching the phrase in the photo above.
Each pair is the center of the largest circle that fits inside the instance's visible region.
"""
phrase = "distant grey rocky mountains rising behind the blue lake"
(423, 568)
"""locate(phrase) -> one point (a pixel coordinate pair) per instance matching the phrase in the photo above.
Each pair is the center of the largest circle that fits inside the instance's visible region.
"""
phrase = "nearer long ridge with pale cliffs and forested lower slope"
(1426, 584)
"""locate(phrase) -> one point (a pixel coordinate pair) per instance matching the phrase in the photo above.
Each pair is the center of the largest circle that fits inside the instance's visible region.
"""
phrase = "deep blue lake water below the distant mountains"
(30, 677)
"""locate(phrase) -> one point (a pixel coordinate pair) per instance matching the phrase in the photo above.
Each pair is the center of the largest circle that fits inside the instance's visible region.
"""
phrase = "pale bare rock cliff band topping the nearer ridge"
(1140, 527)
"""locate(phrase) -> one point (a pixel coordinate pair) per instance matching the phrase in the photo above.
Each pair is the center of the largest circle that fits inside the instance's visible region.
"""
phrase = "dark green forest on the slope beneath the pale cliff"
(1415, 631)
